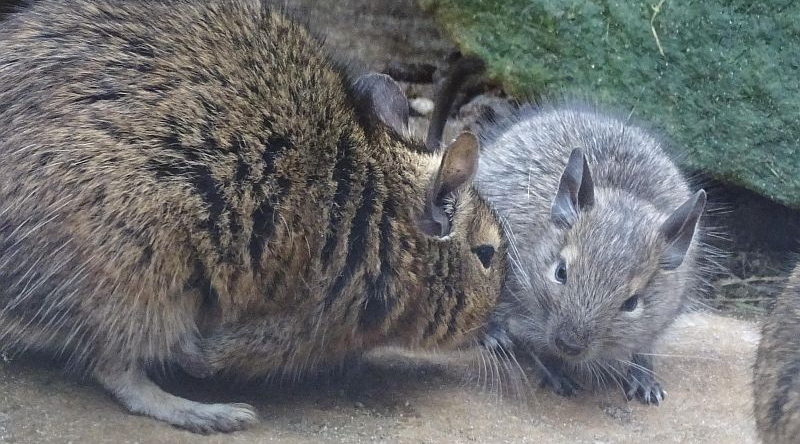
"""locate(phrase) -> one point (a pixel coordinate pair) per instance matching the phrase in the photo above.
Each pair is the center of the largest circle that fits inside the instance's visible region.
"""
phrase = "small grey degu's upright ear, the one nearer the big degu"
(575, 191)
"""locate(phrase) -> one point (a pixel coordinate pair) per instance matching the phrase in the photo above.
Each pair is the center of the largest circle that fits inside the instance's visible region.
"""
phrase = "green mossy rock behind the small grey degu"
(726, 88)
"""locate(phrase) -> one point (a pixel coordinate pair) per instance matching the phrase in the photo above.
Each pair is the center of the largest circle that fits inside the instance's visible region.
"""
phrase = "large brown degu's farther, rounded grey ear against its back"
(380, 98)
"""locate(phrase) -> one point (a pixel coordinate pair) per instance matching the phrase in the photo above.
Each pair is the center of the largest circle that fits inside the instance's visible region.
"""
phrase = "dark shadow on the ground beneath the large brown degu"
(381, 386)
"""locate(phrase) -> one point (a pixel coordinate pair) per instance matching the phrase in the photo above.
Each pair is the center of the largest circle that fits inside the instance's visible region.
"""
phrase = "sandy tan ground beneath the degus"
(705, 366)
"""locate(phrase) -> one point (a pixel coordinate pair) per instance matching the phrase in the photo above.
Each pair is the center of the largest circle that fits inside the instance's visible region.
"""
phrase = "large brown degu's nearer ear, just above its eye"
(458, 167)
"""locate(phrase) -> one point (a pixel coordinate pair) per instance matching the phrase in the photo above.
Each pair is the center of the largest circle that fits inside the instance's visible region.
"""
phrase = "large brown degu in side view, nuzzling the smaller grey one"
(199, 183)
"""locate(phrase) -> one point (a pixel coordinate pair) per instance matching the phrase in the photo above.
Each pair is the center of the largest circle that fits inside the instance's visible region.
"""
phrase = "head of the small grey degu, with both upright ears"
(609, 275)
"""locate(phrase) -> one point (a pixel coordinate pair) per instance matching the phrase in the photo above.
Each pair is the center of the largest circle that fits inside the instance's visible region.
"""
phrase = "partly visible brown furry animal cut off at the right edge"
(776, 381)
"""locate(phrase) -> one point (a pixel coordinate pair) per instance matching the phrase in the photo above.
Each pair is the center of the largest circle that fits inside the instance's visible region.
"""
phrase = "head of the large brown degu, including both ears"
(457, 278)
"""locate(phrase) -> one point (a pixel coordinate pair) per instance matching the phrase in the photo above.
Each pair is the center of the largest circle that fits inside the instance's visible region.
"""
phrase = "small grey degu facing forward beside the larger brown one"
(604, 242)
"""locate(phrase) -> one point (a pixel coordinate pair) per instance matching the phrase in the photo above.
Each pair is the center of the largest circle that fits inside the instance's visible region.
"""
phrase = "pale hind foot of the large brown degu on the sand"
(132, 387)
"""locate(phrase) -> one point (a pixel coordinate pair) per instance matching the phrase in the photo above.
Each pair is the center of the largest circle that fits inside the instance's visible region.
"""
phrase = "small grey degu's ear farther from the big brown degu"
(679, 228)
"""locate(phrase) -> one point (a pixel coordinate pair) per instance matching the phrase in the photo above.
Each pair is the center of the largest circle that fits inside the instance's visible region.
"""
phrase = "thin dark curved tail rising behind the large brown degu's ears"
(458, 74)
